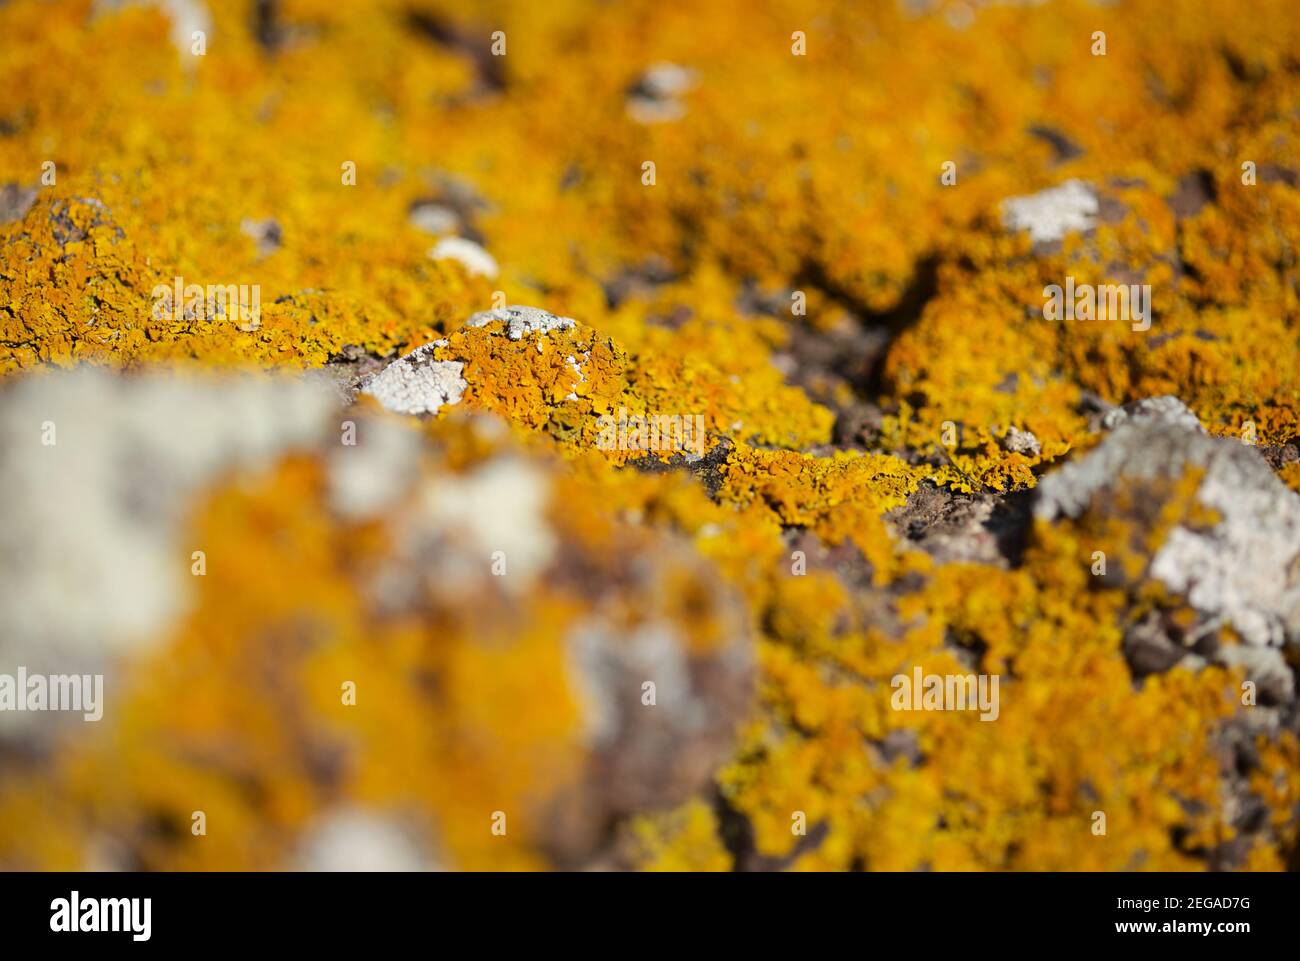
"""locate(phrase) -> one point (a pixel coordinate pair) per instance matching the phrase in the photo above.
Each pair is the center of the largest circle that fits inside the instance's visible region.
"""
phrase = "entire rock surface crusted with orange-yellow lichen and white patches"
(418, 596)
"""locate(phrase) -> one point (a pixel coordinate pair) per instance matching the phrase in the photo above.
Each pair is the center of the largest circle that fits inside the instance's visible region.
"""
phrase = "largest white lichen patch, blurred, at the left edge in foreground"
(97, 479)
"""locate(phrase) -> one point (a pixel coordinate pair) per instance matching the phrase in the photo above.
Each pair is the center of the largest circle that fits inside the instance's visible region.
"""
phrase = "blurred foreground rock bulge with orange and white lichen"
(577, 676)
